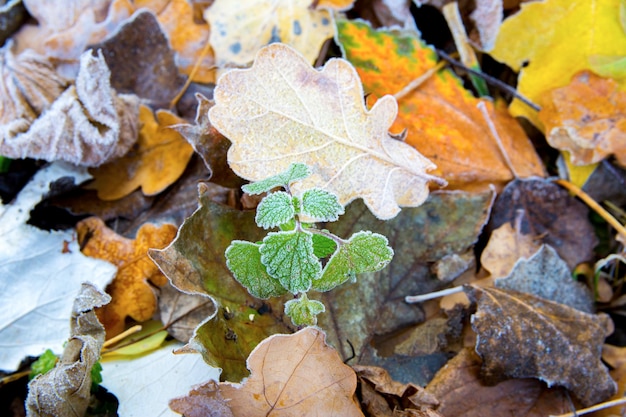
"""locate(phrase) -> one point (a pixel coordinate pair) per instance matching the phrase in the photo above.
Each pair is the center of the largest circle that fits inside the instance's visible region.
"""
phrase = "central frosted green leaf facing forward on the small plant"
(289, 257)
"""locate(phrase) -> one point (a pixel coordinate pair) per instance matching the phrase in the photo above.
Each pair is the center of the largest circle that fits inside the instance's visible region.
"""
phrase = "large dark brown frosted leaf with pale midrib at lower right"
(524, 336)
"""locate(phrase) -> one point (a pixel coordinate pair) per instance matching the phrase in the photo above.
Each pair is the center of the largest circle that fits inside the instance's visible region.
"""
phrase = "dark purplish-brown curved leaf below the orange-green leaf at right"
(550, 215)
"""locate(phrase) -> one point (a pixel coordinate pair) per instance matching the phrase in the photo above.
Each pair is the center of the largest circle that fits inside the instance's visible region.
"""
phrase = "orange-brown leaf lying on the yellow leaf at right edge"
(587, 118)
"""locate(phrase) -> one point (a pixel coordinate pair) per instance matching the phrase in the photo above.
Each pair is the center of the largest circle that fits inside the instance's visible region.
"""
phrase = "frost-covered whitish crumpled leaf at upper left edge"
(87, 125)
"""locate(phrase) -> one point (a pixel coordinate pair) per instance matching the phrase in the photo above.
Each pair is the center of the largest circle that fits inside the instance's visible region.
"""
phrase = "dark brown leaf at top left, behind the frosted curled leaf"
(141, 60)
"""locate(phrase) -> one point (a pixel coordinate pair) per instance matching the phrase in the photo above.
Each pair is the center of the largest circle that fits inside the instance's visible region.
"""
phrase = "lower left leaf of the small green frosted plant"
(244, 261)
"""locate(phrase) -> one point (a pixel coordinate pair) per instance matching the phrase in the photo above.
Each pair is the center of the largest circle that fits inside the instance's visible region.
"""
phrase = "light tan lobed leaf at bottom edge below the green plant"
(296, 373)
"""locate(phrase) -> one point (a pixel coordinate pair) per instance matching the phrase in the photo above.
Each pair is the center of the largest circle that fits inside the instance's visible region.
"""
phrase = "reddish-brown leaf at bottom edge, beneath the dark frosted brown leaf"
(461, 393)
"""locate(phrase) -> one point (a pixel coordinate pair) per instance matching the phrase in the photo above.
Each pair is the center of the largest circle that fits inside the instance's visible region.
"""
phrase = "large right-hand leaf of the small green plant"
(364, 252)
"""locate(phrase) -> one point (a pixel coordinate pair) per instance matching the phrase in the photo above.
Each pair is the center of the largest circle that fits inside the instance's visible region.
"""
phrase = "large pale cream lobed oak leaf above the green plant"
(320, 120)
